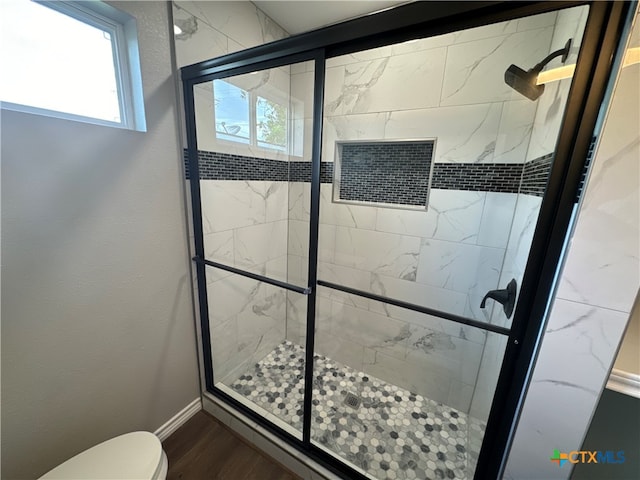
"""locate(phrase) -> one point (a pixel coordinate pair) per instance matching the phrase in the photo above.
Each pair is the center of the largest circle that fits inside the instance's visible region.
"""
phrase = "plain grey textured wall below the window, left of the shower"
(97, 326)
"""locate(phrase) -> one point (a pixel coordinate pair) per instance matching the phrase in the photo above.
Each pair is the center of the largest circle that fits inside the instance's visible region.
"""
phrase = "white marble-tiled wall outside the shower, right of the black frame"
(596, 293)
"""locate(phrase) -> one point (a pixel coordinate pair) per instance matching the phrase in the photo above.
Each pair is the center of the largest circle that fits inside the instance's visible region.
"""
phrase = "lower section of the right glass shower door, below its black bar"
(399, 394)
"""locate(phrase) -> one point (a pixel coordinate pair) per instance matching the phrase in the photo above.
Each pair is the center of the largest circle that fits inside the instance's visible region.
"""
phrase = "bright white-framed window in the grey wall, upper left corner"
(75, 60)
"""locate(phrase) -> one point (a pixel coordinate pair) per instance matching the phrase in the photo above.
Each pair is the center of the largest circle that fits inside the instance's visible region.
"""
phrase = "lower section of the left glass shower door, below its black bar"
(257, 338)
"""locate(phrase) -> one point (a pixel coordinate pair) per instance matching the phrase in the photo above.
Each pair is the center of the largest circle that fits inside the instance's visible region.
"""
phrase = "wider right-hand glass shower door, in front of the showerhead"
(433, 160)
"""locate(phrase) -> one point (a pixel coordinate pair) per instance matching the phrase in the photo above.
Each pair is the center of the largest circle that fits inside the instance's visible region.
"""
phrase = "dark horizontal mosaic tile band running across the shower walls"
(482, 177)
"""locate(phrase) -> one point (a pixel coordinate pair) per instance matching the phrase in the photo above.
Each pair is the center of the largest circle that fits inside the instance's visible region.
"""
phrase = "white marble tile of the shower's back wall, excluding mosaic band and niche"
(448, 256)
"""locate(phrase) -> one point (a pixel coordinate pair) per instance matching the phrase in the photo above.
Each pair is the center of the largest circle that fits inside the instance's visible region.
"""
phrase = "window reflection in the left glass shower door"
(246, 117)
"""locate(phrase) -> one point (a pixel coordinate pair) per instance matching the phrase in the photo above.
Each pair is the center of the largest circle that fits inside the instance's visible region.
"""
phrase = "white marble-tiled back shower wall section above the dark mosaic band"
(452, 89)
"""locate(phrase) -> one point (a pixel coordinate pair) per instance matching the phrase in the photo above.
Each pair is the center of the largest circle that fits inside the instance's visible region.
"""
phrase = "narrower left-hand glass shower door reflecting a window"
(253, 150)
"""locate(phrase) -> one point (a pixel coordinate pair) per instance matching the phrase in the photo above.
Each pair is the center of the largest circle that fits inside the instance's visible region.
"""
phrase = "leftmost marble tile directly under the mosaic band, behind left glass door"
(231, 204)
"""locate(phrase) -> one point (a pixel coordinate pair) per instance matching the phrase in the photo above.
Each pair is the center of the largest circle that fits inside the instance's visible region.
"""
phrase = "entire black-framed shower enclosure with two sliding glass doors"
(362, 196)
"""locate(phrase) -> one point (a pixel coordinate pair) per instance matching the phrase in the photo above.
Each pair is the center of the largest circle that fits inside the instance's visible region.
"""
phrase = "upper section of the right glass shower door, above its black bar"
(492, 154)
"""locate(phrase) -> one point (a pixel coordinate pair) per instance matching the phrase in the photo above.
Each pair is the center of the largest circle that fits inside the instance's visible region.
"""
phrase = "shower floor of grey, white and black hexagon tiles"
(392, 434)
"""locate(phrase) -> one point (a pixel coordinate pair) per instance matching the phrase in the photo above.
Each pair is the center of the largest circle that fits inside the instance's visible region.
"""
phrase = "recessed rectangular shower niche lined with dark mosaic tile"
(385, 172)
